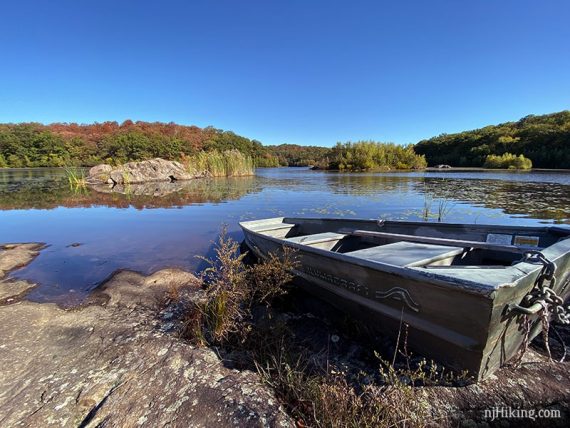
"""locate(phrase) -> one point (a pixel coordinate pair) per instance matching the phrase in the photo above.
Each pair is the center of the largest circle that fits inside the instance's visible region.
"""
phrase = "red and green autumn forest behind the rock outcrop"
(63, 144)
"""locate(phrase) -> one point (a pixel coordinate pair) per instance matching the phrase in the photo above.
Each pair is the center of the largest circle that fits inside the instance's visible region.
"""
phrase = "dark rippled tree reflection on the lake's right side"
(532, 199)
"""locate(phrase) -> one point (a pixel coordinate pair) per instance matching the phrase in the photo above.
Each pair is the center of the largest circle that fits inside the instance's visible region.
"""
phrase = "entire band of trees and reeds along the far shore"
(533, 141)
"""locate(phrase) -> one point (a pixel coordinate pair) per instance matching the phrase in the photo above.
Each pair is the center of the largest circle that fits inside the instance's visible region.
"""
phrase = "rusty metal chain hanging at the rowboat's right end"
(542, 294)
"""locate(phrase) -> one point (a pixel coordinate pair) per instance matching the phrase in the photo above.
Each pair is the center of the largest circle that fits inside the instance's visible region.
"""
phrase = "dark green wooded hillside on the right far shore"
(544, 140)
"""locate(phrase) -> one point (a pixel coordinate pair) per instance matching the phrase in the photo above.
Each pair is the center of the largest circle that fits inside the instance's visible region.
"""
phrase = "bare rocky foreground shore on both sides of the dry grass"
(118, 360)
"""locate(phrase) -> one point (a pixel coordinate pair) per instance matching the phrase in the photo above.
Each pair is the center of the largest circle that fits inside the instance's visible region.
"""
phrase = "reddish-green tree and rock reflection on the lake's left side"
(45, 194)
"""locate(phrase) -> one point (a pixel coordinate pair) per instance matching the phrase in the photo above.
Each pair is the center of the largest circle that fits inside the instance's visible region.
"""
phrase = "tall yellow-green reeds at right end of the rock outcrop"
(230, 163)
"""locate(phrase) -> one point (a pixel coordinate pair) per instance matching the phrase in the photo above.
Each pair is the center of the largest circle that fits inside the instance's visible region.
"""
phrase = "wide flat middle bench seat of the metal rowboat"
(408, 254)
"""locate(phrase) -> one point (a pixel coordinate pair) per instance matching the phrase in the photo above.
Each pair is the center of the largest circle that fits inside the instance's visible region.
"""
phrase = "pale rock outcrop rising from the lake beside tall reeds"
(153, 170)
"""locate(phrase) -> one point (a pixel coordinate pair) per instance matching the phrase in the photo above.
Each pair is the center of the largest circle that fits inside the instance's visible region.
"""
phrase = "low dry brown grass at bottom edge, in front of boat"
(320, 398)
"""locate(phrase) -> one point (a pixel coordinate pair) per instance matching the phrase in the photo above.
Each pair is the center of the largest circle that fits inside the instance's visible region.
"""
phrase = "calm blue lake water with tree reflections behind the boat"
(150, 227)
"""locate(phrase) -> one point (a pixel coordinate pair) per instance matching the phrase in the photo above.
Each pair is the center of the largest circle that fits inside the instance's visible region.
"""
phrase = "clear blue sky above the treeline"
(289, 71)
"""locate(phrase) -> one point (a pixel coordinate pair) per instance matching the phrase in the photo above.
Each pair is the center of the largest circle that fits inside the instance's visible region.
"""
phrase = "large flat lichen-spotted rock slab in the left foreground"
(111, 364)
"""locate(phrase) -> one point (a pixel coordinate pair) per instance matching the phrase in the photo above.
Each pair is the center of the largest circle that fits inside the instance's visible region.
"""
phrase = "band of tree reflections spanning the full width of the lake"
(25, 189)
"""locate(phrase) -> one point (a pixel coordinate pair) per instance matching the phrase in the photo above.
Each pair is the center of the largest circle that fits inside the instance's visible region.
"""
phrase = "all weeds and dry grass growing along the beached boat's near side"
(239, 317)
